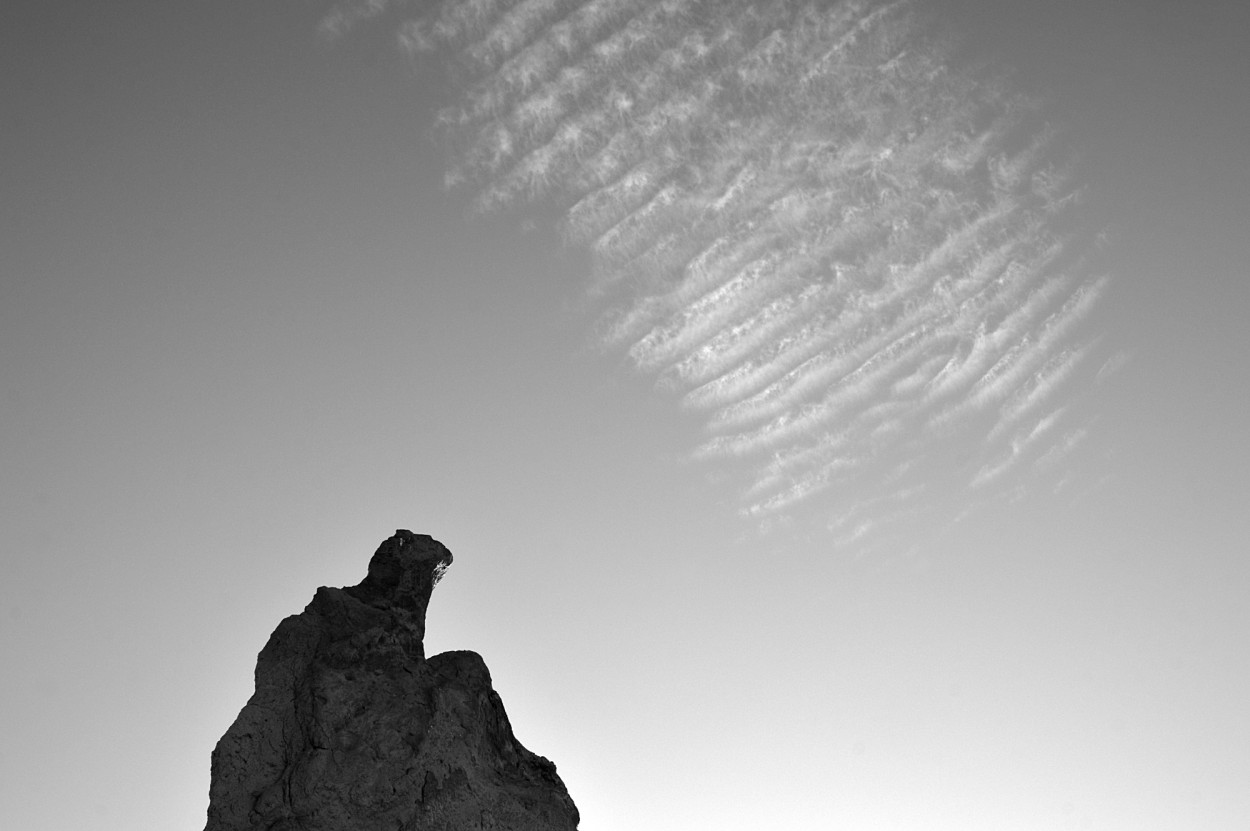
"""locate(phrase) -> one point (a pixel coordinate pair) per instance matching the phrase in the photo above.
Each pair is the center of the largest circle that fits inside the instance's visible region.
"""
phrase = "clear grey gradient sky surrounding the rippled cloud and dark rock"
(246, 334)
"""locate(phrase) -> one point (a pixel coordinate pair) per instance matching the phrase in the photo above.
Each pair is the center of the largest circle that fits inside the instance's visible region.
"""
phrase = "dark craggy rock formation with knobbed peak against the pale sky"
(352, 729)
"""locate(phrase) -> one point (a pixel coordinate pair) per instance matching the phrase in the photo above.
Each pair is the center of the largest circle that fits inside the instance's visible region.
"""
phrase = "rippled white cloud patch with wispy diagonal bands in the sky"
(804, 223)
